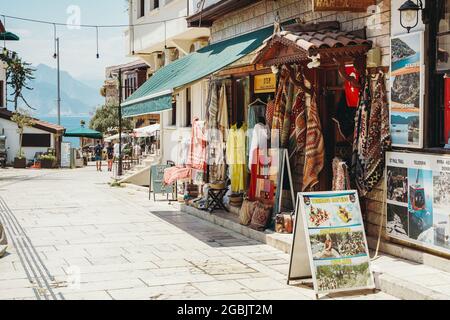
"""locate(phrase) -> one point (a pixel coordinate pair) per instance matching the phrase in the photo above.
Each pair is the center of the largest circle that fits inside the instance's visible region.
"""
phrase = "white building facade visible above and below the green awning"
(159, 35)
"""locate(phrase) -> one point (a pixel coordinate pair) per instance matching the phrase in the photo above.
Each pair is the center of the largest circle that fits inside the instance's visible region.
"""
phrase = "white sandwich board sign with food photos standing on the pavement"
(330, 243)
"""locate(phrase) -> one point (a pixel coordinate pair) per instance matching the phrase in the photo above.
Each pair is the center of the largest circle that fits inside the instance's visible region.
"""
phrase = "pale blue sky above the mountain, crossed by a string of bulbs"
(77, 47)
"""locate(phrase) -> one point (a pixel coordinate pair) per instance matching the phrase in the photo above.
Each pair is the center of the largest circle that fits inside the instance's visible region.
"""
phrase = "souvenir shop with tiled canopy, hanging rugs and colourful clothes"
(305, 115)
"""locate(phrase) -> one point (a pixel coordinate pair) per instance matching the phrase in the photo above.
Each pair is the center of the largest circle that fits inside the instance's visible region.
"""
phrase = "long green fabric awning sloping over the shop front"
(155, 95)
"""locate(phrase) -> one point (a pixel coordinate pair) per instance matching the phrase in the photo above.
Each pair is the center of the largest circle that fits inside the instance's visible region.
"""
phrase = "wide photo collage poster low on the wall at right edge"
(418, 199)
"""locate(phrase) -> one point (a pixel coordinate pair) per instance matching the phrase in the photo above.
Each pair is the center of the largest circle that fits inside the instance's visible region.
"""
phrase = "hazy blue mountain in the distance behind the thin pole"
(77, 98)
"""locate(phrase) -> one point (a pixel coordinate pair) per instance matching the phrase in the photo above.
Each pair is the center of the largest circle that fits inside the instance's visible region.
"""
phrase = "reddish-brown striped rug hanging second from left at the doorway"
(297, 135)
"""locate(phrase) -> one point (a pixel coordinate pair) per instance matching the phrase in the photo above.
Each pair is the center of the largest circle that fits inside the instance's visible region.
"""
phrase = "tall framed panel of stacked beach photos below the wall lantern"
(407, 90)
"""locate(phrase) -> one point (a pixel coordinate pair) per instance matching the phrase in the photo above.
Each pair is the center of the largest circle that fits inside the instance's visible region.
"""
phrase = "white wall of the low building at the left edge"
(13, 140)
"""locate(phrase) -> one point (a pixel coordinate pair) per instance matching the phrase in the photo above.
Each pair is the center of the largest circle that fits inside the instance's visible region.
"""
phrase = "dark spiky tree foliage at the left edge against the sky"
(18, 73)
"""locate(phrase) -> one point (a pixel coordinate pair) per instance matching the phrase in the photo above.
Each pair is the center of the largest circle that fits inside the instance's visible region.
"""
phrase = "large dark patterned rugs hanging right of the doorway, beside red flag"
(372, 136)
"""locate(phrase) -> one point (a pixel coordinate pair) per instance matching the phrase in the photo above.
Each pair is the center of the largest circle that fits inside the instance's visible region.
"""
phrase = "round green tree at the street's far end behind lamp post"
(106, 120)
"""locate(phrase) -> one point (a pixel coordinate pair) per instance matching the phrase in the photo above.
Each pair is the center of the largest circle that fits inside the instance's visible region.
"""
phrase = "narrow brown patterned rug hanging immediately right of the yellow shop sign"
(280, 106)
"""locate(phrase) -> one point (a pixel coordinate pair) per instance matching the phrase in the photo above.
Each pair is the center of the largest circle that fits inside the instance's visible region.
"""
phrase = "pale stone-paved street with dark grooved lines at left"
(72, 236)
